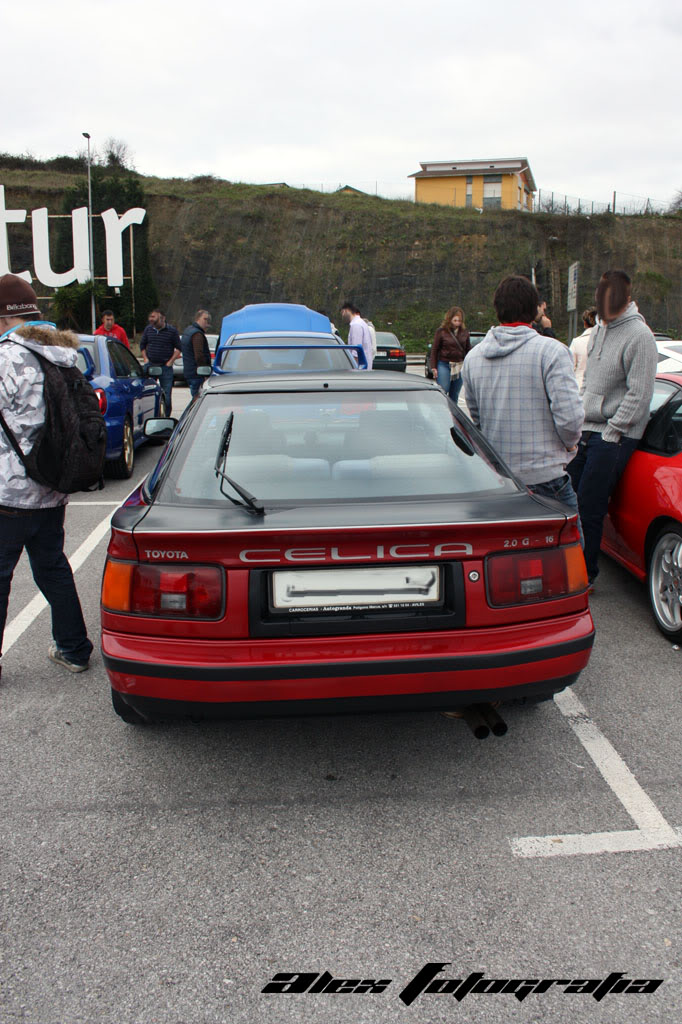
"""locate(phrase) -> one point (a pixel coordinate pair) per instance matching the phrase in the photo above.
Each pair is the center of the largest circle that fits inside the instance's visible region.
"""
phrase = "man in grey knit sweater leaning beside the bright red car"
(617, 395)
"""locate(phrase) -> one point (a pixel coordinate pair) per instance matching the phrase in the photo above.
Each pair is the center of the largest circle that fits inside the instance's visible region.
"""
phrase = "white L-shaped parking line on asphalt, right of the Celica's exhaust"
(653, 832)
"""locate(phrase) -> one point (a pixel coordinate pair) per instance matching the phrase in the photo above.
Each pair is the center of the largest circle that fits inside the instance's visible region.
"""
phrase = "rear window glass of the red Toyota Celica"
(300, 448)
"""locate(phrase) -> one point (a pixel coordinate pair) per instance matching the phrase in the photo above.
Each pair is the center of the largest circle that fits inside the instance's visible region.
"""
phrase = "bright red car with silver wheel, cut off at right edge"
(644, 530)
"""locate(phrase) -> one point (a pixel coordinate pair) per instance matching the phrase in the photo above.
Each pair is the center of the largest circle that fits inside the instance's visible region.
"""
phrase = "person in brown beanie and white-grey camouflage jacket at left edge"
(32, 514)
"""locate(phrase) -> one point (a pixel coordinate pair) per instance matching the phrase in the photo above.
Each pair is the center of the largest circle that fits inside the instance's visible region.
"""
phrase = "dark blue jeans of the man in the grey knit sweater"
(594, 473)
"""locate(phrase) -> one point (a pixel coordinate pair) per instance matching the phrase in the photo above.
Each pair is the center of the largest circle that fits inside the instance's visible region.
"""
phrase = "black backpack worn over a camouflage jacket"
(69, 453)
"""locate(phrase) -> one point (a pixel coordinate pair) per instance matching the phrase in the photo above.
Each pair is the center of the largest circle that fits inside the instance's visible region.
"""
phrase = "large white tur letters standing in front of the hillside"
(114, 228)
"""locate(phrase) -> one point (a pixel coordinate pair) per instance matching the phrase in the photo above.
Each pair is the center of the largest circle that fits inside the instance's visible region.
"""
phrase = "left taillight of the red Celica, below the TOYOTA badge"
(164, 591)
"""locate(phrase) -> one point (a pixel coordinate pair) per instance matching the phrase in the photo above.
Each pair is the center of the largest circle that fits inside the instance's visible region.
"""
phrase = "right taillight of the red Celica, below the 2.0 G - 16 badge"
(522, 578)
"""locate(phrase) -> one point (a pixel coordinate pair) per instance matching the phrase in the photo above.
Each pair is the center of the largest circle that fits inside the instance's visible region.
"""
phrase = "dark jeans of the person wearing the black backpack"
(41, 533)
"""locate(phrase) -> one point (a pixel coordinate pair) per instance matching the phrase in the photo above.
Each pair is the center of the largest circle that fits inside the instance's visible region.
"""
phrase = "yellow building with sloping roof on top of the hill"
(483, 185)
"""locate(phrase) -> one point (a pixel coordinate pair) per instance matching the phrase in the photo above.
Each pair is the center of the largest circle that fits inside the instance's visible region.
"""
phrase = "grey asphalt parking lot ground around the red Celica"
(166, 874)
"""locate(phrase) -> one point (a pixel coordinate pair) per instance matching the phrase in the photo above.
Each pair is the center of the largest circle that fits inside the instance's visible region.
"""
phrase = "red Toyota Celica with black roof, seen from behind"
(332, 543)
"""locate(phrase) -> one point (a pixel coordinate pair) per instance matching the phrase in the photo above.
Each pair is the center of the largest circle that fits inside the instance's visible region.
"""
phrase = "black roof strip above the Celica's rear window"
(359, 381)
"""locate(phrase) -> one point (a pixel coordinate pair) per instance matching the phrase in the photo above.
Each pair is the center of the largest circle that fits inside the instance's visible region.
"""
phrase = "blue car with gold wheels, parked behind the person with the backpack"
(127, 399)
